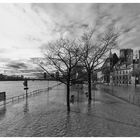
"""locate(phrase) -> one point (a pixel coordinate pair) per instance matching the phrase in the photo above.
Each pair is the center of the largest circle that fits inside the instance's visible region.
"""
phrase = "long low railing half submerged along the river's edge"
(22, 96)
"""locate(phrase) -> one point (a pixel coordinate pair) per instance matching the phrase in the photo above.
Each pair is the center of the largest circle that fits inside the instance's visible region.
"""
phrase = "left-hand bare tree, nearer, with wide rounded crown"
(62, 56)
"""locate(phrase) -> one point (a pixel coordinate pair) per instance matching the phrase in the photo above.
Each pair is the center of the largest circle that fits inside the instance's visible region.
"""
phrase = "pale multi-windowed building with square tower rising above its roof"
(122, 71)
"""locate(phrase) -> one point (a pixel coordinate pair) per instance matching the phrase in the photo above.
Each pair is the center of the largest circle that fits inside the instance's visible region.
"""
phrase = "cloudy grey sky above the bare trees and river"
(25, 28)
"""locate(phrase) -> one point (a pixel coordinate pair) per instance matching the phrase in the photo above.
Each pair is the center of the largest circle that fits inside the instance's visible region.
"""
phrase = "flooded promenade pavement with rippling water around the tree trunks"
(45, 115)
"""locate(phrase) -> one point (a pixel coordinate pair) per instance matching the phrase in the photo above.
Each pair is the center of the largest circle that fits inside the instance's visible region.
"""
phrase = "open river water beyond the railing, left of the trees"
(15, 88)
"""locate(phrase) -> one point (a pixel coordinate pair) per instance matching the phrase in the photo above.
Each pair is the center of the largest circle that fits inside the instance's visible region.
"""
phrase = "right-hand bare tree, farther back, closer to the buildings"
(95, 47)
